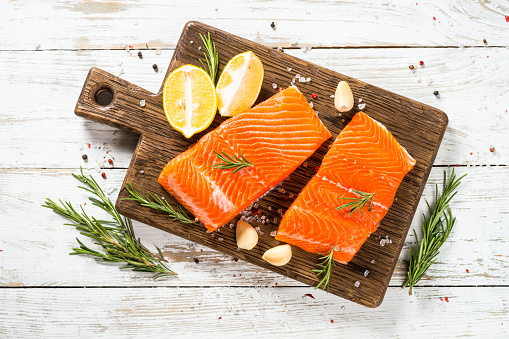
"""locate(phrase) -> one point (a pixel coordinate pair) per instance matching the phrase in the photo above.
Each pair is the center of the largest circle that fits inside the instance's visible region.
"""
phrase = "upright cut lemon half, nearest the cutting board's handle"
(189, 100)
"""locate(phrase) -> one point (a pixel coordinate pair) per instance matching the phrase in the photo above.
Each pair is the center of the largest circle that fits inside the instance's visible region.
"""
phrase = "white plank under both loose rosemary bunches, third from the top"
(38, 241)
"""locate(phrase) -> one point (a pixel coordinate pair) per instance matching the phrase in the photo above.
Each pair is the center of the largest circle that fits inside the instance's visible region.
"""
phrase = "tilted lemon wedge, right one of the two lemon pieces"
(239, 84)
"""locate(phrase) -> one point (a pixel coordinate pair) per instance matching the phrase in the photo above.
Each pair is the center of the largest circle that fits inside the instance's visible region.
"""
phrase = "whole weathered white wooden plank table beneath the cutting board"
(46, 49)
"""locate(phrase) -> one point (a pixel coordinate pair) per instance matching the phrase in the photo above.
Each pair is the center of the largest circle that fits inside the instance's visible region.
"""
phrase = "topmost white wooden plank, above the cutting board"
(110, 24)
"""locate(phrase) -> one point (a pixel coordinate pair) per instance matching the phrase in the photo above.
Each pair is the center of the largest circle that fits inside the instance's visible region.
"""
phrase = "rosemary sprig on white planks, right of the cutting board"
(436, 229)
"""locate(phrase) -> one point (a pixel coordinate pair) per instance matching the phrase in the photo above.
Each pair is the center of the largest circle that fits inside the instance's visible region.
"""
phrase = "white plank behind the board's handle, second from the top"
(43, 133)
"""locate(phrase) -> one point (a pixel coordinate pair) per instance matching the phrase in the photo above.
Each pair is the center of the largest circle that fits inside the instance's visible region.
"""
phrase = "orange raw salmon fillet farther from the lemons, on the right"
(365, 157)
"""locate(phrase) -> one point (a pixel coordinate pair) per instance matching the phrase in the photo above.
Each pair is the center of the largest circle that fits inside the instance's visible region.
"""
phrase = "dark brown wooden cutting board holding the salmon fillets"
(418, 127)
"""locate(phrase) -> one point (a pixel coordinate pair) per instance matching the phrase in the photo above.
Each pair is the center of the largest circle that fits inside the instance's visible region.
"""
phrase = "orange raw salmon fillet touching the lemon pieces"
(276, 136)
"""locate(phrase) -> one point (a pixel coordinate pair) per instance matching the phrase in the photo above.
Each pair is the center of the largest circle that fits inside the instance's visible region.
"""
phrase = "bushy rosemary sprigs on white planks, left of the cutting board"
(116, 237)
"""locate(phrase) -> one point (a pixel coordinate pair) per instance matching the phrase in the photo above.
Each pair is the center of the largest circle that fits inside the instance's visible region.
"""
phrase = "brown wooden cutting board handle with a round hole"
(111, 100)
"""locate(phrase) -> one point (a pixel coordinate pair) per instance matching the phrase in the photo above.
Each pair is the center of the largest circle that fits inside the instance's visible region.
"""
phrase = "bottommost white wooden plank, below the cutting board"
(241, 312)
